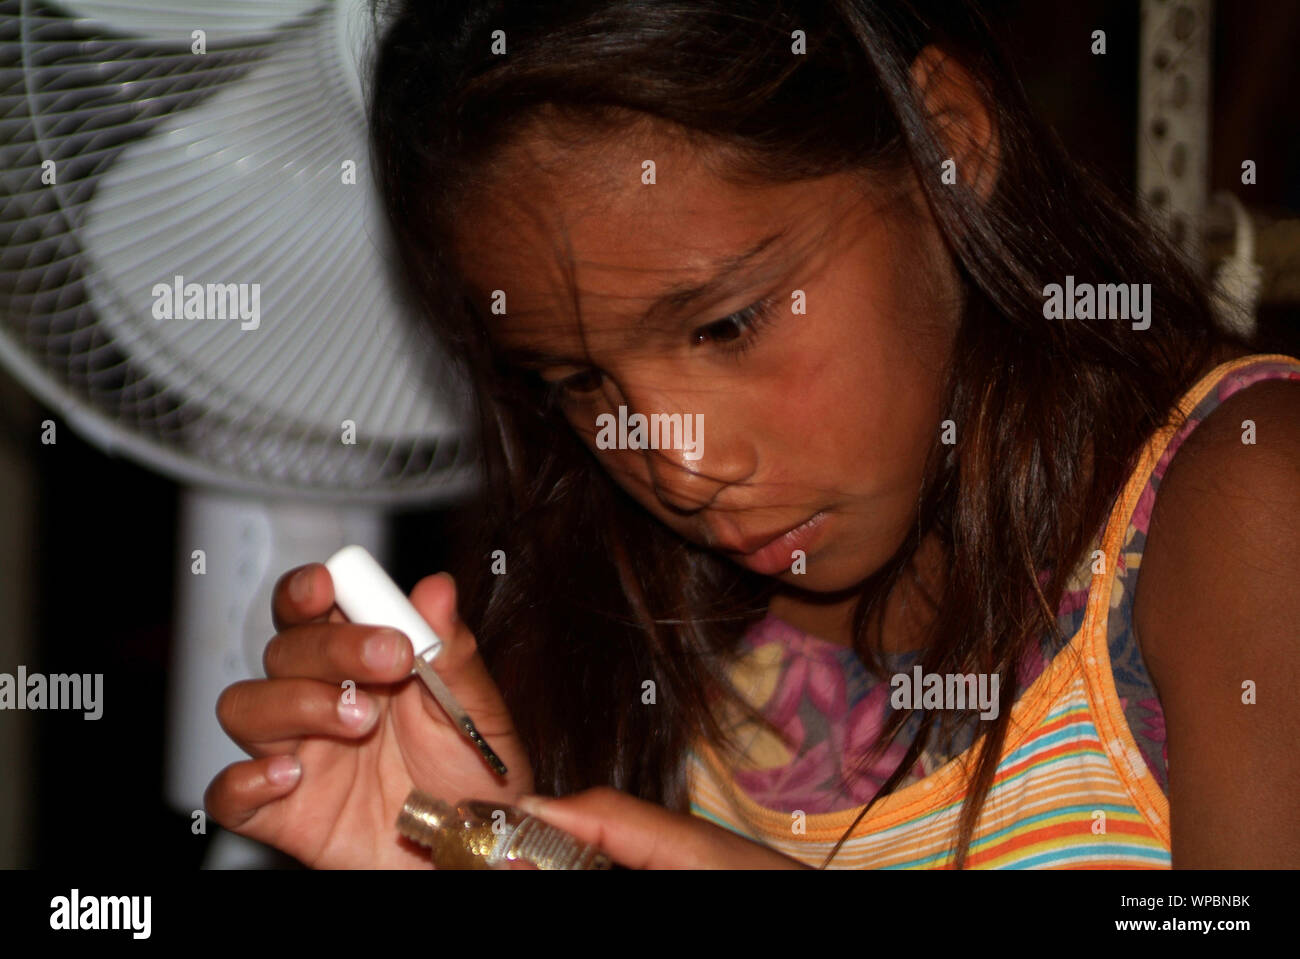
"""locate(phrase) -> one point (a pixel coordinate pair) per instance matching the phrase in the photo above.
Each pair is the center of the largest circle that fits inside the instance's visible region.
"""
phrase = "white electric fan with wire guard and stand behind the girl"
(194, 275)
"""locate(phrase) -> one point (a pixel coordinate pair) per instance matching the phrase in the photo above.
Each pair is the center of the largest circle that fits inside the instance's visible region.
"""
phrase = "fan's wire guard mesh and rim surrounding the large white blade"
(81, 96)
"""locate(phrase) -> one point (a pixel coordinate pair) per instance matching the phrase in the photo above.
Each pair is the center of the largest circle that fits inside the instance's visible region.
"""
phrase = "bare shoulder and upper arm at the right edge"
(1217, 615)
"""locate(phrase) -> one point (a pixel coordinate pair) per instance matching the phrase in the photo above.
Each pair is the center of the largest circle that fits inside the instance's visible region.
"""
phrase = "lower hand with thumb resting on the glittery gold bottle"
(644, 836)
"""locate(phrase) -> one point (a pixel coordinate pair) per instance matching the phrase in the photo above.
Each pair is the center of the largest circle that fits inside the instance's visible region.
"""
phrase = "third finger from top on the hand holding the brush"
(262, 715)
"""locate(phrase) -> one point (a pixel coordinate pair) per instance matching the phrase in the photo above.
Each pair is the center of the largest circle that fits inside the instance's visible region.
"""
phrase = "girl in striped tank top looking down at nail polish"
(882, 609)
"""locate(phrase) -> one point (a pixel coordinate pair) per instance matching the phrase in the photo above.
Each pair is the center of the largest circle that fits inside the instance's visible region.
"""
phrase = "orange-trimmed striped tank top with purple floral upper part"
(1084, 776)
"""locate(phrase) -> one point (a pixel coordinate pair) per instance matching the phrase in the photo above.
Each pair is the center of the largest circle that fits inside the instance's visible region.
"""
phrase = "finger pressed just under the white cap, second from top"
(339, 652)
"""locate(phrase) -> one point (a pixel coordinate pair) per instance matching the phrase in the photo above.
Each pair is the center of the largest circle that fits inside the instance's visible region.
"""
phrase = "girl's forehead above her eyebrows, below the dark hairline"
(573, 215)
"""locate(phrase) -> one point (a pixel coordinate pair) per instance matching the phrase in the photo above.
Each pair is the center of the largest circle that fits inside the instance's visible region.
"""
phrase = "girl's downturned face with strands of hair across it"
(812, 359)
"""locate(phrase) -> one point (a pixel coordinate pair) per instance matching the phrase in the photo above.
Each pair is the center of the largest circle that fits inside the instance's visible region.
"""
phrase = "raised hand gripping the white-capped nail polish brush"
(340, 812)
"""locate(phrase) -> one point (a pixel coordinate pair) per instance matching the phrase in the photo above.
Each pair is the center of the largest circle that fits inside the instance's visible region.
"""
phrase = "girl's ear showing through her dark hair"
(960, 118)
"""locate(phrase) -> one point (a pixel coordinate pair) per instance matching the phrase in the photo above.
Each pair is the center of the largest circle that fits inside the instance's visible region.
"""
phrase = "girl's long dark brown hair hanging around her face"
(600, 597)
